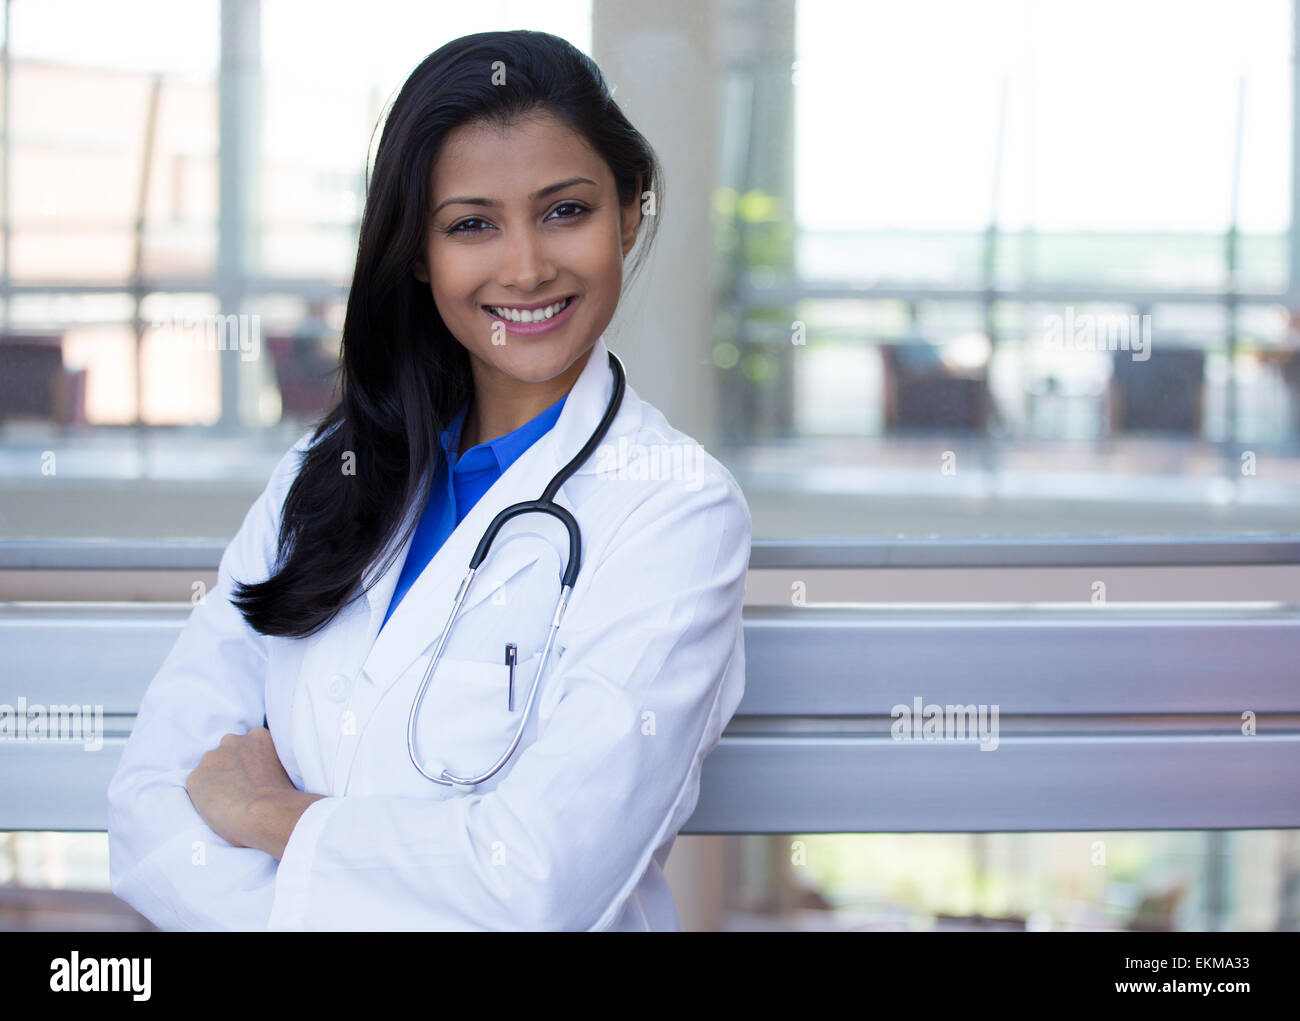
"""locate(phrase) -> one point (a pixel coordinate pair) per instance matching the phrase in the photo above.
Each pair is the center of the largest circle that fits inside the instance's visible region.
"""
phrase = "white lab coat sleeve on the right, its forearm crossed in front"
(627, 716)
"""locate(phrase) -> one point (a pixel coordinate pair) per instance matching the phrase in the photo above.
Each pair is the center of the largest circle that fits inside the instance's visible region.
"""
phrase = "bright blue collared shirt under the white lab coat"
(471, 475)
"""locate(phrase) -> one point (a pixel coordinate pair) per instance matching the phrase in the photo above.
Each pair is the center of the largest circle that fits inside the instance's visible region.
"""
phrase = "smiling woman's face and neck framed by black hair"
(522, 218)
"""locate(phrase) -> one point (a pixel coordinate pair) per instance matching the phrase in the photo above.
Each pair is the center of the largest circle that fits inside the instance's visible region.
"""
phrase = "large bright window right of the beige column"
(1093, 267)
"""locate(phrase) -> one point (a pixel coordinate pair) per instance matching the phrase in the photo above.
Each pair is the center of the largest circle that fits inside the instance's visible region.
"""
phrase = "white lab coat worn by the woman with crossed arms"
(575, 830)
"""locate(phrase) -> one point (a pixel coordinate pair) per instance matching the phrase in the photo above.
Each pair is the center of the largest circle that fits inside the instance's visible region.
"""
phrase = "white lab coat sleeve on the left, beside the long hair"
(164, 860)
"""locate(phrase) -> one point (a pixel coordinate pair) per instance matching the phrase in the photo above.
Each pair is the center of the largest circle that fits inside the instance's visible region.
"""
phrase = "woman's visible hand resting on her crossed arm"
(231, 778)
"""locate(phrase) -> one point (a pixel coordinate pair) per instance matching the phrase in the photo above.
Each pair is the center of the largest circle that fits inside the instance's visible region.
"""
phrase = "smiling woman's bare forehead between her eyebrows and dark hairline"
(522, 158)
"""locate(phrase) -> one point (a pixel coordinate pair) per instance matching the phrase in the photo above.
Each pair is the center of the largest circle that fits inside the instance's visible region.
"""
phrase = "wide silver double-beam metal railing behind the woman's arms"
(1113, 719)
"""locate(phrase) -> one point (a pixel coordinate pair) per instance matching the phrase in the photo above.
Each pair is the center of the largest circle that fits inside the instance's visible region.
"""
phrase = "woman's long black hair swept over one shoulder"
(404, 375)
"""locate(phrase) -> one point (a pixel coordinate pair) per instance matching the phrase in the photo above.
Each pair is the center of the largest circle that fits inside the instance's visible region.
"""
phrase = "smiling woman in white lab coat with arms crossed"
(332, 600)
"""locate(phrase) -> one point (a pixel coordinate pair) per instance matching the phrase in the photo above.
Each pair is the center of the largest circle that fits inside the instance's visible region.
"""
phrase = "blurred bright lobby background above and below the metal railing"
(1050, 244)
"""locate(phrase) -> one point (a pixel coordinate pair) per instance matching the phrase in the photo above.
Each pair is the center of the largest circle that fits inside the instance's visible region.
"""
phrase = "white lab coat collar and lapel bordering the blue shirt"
(419, 620)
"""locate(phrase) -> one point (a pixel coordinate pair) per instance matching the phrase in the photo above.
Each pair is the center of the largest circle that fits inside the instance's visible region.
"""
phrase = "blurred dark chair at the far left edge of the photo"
(36, 384)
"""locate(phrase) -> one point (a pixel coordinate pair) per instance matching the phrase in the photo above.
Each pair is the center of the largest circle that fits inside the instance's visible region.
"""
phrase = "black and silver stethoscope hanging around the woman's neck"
(547, 505)
